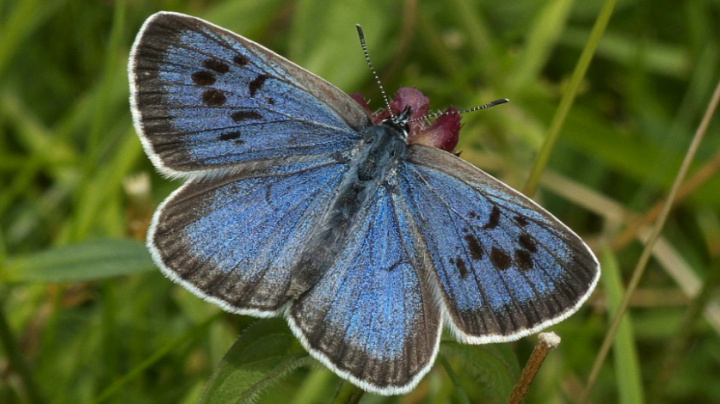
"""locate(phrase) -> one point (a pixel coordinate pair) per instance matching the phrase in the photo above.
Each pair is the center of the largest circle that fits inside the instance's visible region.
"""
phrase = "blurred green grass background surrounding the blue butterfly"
(86, 317)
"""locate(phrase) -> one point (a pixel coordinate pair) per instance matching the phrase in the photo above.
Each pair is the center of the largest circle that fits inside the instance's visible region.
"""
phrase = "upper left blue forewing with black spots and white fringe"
(205, 99)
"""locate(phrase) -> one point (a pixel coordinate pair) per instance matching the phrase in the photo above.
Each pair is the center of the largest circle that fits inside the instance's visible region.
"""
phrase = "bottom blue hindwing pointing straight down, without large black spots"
(372, 317)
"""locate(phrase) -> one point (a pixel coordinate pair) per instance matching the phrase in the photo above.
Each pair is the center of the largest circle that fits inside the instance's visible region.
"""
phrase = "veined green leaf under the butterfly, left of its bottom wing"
(263, 355)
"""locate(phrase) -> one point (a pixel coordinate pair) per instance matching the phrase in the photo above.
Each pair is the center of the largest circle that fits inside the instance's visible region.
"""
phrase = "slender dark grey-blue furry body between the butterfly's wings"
(381, 149)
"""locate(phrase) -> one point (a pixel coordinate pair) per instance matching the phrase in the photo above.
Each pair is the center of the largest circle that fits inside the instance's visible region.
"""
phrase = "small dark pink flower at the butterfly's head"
(442, 134)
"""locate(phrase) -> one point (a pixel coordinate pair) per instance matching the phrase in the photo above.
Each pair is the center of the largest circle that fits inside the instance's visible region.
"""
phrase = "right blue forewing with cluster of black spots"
(504, 266)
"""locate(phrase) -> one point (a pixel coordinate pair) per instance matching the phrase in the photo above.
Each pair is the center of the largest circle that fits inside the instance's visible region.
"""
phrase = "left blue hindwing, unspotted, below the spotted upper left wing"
(234, 240)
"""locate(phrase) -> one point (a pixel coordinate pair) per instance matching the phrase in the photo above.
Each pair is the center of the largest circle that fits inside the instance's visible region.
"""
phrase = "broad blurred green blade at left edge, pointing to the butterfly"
(91, 260)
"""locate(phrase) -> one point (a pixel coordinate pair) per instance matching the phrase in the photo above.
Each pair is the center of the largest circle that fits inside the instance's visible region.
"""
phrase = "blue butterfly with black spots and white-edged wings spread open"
(299, 202)
